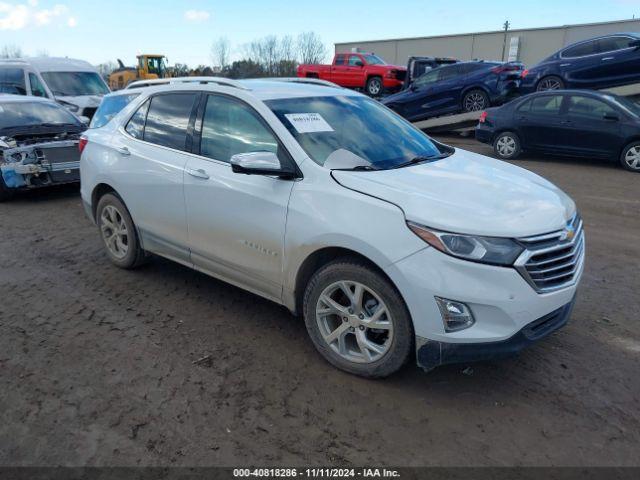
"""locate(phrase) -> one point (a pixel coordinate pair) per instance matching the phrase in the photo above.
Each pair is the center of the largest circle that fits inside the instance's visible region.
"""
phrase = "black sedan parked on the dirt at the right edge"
(577, 123)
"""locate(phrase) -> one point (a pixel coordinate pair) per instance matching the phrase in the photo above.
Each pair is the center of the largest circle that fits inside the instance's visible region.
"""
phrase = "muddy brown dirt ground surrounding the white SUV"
(99, 366)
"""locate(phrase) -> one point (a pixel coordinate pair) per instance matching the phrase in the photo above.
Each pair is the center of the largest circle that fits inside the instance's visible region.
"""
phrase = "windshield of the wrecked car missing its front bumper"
(25, 114)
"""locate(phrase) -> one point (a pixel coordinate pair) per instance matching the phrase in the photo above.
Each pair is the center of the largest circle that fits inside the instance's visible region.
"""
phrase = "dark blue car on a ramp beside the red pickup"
(461, 87)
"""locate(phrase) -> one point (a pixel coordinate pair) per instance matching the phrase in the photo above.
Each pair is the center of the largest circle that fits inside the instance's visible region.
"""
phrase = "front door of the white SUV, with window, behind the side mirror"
(236, 222)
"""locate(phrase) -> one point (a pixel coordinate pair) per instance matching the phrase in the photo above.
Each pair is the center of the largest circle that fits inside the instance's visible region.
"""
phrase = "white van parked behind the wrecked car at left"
(75, 84)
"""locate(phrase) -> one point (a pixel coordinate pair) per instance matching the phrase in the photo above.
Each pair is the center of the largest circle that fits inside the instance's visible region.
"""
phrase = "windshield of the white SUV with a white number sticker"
(360, 125)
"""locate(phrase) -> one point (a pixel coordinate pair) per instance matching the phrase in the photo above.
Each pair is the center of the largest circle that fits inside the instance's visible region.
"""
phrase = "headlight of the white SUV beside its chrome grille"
(491, 250)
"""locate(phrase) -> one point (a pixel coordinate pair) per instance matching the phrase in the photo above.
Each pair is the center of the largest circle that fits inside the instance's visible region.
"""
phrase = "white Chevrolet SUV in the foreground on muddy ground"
(325, 201)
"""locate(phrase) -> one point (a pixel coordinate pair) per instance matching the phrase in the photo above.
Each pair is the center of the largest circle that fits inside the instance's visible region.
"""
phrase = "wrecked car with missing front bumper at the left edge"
(38, 144)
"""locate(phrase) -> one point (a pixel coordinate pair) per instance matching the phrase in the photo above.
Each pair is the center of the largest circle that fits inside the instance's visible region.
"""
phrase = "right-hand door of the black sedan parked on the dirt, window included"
(590, 128)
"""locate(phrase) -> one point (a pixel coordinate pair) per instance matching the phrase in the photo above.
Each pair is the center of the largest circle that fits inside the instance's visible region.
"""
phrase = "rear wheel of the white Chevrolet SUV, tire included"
(118, 233)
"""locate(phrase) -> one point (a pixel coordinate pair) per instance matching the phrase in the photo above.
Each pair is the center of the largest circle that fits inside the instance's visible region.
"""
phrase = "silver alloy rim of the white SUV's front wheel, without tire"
(354, 322)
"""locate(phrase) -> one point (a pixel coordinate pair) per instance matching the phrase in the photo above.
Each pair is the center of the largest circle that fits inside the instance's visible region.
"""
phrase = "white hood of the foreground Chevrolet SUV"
(468, 193)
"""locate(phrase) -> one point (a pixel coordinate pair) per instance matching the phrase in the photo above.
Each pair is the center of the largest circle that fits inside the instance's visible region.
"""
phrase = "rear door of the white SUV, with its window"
(154, 147)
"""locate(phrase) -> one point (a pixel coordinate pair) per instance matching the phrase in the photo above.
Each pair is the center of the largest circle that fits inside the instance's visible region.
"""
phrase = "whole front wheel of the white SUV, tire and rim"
(357, 320)
